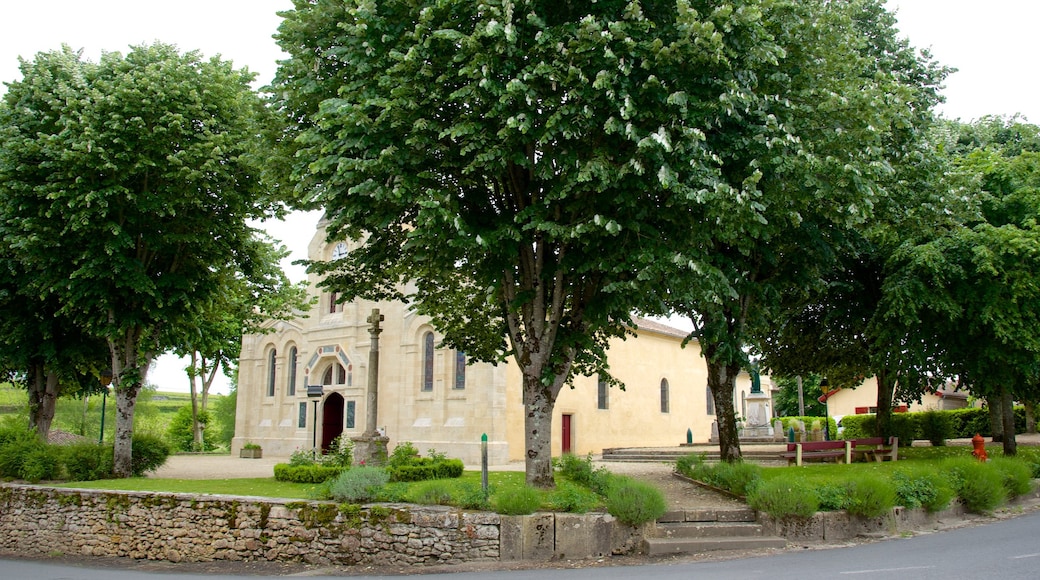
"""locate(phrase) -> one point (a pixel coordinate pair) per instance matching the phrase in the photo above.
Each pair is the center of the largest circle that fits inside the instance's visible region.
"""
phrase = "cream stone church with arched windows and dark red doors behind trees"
(432, 398)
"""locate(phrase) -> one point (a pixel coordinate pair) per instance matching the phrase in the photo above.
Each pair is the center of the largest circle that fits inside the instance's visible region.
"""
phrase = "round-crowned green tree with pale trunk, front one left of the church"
(126, 187)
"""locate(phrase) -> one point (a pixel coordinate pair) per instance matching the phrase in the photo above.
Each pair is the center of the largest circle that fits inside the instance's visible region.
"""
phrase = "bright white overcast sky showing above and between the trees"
(991, 44)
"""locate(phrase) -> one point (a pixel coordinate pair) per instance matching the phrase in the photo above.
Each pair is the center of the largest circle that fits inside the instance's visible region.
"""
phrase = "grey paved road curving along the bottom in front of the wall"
(1009, 550)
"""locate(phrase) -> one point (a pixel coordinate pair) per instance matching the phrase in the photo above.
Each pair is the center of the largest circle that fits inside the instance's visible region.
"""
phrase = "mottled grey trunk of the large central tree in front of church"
(539, 403)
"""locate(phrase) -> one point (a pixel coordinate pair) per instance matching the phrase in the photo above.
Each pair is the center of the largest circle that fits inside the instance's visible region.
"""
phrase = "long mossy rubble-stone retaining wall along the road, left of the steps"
(179, 528)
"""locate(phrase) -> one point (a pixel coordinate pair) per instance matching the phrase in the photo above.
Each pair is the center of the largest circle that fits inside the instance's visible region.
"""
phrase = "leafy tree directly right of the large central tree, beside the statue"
(817, 143)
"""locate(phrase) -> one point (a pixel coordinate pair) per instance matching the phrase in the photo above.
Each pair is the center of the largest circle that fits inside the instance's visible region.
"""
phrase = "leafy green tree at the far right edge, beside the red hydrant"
(976, 289)
